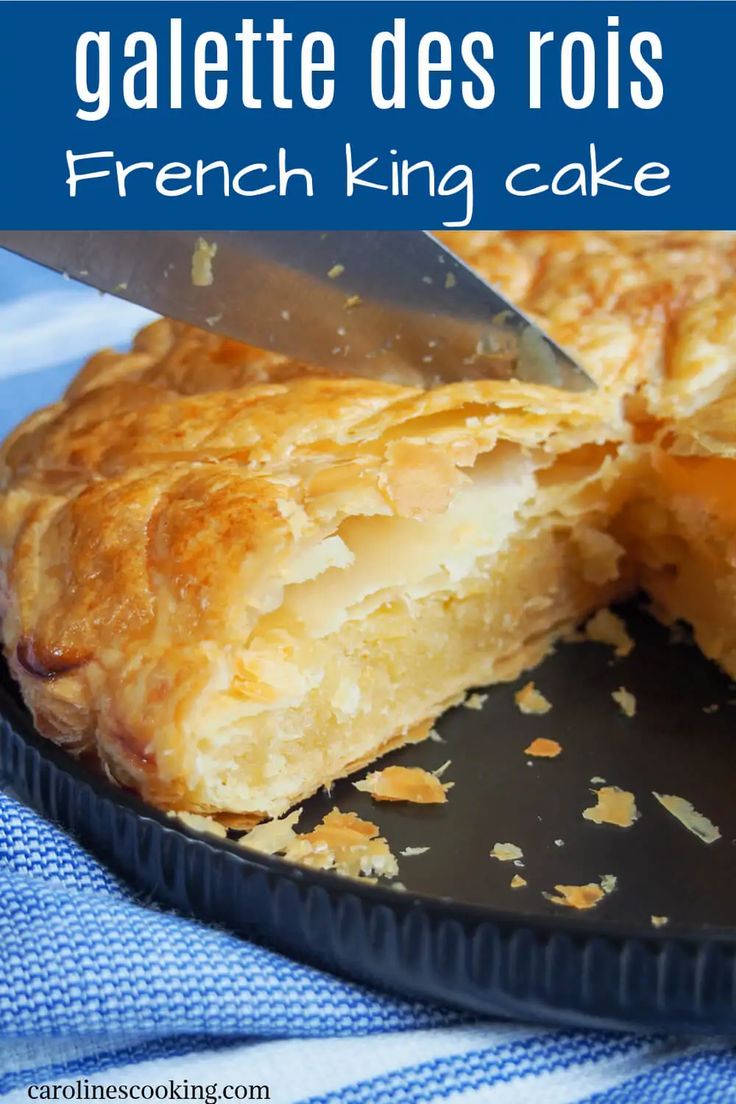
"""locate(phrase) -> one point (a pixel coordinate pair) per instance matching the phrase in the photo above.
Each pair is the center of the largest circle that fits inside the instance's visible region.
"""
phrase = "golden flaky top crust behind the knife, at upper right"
(647, 313)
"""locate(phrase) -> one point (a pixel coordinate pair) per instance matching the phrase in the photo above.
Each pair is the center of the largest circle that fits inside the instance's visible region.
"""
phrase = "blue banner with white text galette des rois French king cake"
(359, 115)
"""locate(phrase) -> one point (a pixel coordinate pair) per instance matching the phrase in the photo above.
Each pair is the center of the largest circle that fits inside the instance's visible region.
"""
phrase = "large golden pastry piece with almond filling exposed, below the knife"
(234, 597)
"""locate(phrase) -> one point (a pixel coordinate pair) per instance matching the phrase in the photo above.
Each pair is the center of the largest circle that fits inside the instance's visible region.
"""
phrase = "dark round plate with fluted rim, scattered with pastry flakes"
(458, 933)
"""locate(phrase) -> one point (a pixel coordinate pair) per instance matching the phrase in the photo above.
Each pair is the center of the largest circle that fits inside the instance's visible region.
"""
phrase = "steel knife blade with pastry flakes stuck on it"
(369, 303)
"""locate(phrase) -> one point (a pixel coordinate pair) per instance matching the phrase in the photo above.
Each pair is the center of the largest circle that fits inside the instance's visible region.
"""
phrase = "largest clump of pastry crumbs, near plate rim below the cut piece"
(344, 843)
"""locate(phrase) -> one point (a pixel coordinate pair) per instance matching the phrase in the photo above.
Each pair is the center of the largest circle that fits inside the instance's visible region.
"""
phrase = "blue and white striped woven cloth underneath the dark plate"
(100, 990)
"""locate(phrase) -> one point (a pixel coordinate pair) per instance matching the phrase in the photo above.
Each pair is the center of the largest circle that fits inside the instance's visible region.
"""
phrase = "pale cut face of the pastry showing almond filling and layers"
(392, 665)
